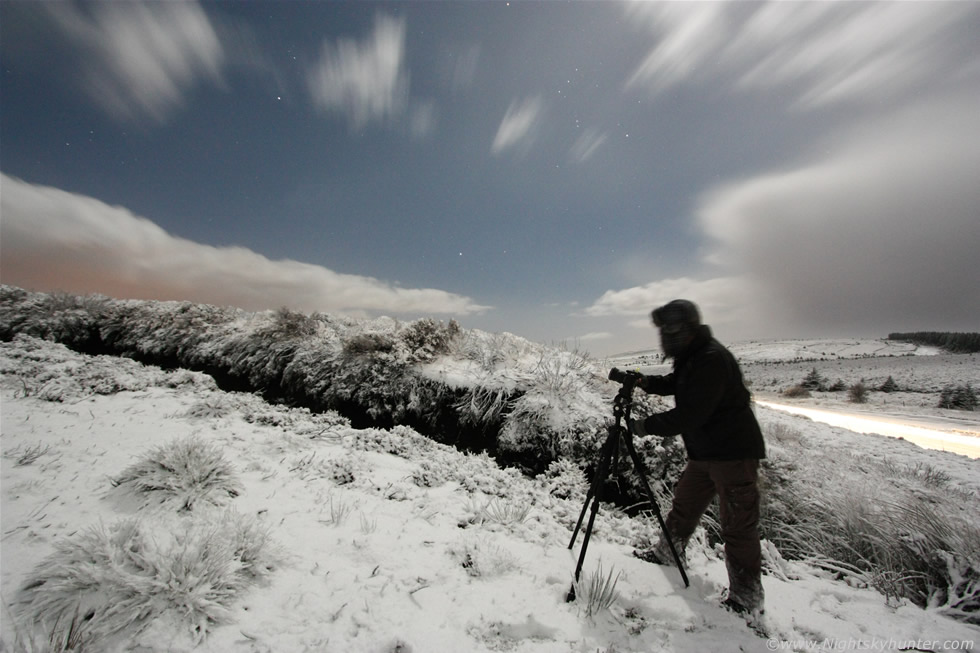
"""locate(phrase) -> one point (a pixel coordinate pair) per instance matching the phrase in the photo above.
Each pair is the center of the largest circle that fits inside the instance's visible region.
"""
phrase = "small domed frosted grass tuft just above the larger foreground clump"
(182, 473)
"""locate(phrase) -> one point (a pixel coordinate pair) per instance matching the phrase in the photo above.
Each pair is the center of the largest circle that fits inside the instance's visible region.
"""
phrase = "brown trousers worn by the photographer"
(735, 483)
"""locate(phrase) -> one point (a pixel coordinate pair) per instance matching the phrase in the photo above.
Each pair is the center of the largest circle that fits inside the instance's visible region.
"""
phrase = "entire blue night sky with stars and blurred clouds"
(550, 169)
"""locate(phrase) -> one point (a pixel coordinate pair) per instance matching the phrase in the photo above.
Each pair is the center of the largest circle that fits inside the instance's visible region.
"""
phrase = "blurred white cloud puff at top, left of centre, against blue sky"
(364, 80)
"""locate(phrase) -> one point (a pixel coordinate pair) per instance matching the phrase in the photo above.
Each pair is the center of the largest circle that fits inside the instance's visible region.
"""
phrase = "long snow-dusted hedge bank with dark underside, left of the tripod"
(526, 404)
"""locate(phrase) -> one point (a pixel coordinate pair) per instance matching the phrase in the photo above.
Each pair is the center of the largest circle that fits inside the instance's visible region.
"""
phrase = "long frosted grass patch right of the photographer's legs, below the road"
(890, 526)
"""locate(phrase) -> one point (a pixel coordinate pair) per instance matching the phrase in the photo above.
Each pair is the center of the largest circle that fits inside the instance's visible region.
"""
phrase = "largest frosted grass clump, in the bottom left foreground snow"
(120, 577)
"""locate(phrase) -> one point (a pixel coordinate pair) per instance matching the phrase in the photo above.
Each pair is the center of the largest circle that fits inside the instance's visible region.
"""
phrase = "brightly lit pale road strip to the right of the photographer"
(925, 431)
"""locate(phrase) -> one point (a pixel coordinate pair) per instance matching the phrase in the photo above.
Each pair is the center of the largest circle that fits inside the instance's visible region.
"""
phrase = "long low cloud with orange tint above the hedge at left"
(55, 240)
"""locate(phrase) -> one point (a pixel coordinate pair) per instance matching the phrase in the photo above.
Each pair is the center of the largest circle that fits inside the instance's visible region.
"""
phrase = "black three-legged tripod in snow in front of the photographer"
(608, 456)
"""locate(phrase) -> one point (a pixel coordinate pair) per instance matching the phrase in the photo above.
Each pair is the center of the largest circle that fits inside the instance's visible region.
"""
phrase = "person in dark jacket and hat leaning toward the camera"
(724, 445)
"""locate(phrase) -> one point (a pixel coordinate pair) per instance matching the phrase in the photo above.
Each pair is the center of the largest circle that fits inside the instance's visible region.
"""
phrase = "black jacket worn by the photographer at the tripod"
(712, 405)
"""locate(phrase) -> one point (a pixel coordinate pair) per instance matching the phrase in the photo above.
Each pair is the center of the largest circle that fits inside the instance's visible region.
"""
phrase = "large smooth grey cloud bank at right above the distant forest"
(881, 232)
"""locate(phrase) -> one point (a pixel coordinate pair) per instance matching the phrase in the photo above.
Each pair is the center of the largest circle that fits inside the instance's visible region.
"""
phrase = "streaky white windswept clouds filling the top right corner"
(826, 53)
